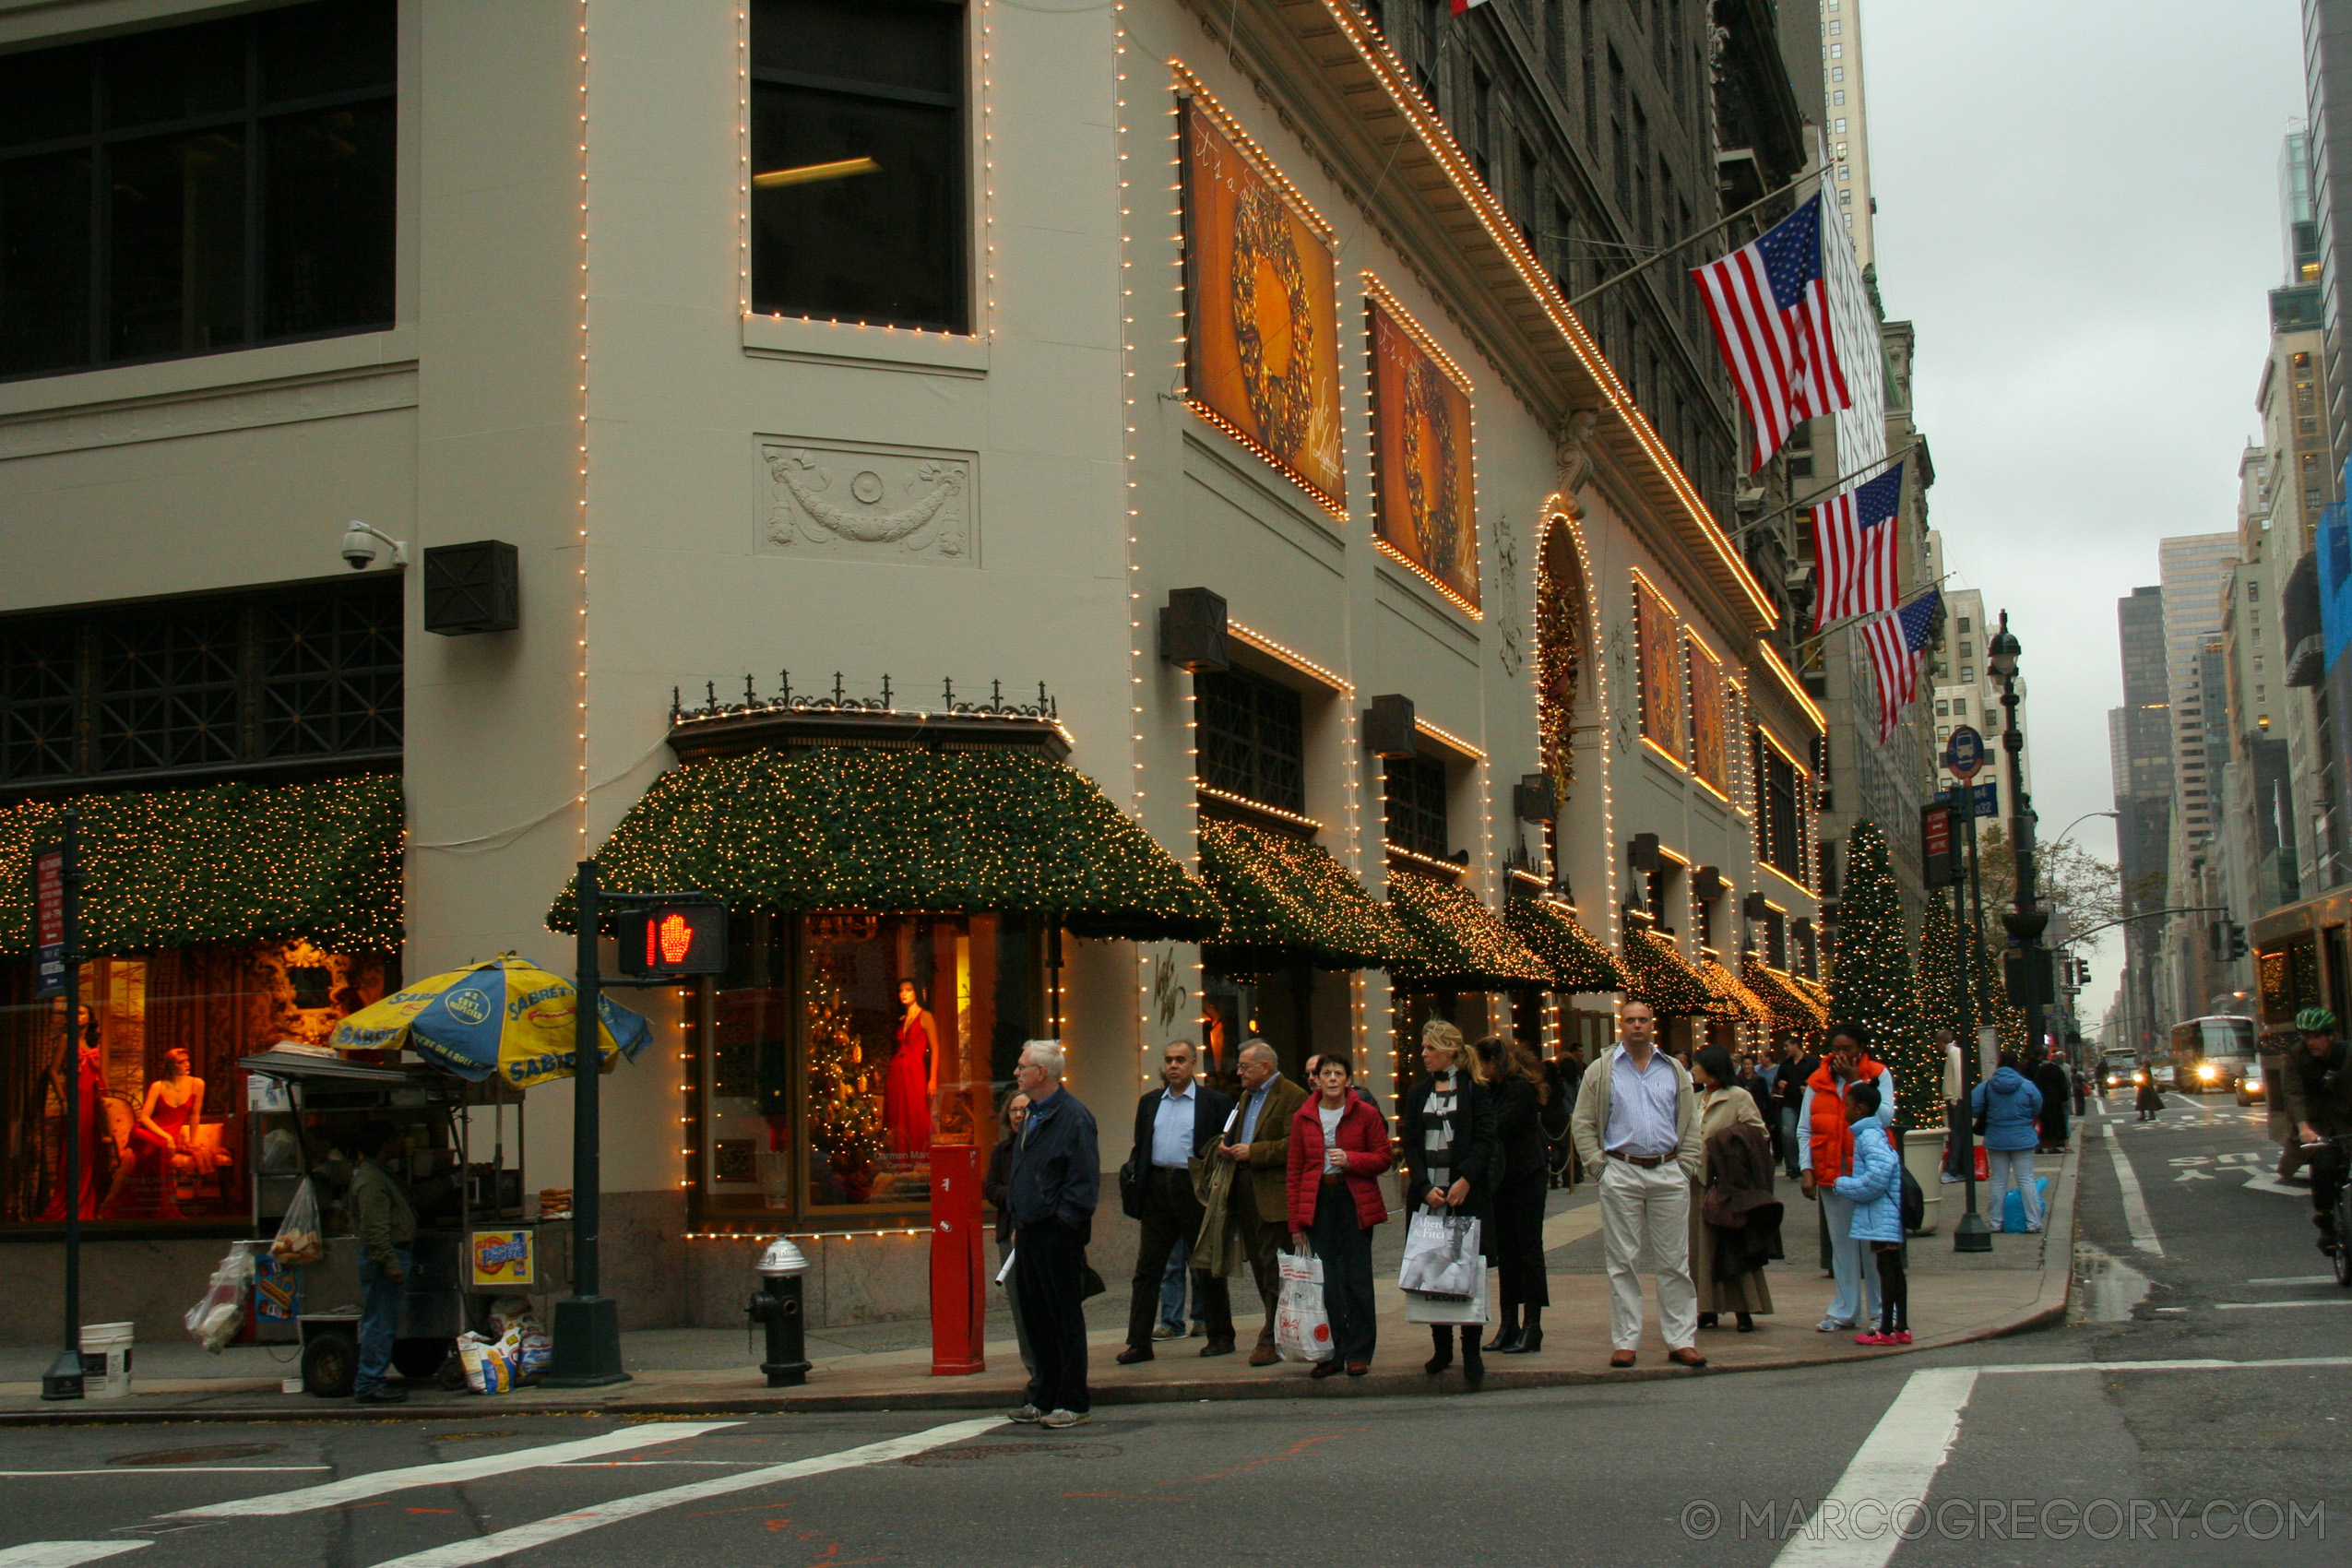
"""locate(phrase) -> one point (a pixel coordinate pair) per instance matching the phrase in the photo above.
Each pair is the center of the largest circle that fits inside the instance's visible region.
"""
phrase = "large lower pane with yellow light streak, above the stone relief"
(878, 246)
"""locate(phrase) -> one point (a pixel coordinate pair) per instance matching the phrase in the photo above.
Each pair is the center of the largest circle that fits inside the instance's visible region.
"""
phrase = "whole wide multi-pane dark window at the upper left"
(196, 189)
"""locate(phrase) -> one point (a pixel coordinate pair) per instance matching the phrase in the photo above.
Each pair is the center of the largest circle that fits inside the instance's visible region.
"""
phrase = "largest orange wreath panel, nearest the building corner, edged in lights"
(1262, 307)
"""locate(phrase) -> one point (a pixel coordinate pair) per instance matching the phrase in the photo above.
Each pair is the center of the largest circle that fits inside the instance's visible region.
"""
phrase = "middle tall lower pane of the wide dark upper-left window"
(180, 243)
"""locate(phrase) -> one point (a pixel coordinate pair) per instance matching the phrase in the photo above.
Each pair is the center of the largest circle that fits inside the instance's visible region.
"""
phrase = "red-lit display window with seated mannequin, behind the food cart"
(161, 1094)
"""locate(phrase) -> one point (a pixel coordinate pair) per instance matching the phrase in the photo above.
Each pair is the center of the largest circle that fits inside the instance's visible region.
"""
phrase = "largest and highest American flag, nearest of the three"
(1772, 323)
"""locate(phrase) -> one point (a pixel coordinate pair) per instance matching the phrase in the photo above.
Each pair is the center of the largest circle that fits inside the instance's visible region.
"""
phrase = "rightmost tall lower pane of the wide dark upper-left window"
(328, 220)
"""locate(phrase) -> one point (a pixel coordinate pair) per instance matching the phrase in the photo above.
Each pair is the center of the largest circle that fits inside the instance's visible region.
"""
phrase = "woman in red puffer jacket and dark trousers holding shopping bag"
(1339, 1148)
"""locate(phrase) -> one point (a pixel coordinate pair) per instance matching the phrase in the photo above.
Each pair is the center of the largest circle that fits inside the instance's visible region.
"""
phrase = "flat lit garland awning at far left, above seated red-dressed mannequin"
(227, 864)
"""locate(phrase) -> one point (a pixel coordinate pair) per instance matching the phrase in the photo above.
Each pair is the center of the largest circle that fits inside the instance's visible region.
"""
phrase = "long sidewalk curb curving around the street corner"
(2050, 1311)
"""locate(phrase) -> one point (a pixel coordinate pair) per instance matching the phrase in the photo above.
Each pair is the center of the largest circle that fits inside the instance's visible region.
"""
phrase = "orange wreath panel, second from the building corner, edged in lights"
(1424, 485)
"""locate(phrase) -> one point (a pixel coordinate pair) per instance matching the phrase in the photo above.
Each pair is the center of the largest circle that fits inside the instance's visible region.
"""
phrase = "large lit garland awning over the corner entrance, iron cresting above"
(902, 833)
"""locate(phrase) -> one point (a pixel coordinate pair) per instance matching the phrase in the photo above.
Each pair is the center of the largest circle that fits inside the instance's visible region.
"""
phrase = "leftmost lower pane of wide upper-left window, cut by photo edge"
(44, 262)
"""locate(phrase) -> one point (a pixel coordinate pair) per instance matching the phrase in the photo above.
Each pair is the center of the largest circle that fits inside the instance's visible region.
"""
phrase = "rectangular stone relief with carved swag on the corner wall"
(869, 504)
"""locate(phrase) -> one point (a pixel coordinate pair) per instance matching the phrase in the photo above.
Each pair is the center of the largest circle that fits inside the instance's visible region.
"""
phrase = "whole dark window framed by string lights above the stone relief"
(857, 152)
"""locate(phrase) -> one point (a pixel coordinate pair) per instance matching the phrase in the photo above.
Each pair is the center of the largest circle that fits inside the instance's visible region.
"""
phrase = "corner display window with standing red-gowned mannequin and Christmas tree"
(841, 1047)
